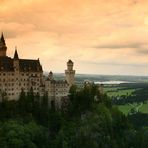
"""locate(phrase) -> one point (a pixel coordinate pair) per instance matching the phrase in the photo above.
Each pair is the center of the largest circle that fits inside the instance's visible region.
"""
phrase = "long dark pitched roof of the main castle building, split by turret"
(25, 65)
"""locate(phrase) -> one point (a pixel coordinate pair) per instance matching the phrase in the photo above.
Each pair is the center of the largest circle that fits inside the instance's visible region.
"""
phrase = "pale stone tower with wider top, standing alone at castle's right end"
(70, 73)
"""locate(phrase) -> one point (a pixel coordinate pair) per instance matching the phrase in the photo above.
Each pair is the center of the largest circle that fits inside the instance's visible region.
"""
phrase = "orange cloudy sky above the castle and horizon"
(100, 36)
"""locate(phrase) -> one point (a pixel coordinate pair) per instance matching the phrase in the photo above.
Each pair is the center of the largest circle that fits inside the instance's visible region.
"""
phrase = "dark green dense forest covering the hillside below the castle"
(88, 121)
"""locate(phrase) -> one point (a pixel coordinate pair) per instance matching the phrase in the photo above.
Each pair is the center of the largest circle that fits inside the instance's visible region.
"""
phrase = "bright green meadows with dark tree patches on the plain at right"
(129, 98)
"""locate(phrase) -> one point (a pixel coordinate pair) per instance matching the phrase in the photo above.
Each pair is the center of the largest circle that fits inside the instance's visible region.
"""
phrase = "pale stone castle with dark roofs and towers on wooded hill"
(25, 74)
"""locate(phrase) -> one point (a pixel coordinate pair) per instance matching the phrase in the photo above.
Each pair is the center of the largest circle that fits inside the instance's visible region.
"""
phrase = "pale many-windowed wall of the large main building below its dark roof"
(11, 84)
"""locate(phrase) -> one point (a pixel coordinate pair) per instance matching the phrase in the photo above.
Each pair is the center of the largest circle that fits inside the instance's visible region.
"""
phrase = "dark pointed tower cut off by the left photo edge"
(3, 47)
